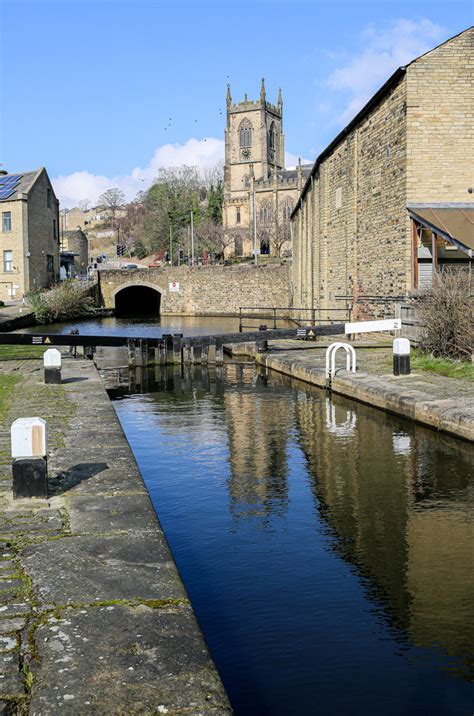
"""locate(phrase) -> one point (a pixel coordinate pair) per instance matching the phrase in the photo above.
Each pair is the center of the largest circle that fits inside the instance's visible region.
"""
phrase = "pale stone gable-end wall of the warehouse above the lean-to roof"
(440, 123)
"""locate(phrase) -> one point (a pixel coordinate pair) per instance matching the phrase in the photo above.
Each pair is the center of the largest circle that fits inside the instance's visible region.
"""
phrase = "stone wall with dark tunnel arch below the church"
(214, 290)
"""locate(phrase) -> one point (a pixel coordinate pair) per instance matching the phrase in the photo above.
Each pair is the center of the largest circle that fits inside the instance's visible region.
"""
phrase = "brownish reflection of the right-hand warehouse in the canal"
(400, 503)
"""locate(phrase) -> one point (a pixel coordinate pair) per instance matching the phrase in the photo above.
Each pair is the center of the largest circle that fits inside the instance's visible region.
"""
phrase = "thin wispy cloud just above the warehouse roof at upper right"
(382, 54)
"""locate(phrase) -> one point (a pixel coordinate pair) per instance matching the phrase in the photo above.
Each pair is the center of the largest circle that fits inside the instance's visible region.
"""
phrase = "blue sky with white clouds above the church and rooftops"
(104, 92)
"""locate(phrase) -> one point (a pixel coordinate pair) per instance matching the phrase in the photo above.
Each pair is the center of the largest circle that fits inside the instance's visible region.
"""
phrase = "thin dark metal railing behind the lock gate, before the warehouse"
(289, 314)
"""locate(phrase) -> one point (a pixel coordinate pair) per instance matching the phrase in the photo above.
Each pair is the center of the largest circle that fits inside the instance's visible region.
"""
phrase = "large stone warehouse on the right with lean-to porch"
(389, 201)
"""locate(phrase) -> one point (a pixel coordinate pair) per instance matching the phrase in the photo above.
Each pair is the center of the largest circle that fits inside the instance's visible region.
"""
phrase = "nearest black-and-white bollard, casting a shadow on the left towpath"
(30, 468)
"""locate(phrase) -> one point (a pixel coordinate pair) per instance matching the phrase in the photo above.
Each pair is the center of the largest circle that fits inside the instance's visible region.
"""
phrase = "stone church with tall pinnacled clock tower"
(255, 179)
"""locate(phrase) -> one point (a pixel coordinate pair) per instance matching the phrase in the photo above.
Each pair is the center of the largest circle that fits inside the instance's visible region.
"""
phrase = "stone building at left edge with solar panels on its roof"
(29, 233)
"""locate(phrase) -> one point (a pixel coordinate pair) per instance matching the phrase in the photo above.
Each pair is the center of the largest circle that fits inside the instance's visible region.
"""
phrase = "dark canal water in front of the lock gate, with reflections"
(327, 547)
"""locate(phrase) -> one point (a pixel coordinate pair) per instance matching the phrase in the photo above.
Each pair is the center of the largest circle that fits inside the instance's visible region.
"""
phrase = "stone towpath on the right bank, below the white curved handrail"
(446, 404)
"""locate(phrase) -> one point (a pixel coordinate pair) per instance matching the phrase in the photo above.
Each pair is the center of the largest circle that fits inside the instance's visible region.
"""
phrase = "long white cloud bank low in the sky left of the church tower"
(71, 188)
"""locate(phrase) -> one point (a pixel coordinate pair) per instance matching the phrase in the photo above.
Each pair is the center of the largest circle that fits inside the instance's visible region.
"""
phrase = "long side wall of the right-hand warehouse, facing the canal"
(349, 234)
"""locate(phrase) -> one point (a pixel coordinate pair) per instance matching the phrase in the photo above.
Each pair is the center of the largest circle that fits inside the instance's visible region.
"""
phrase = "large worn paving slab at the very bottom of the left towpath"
(135, 660)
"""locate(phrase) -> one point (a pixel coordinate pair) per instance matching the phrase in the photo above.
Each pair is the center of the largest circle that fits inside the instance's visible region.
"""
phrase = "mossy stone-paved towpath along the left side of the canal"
(94, 617)
